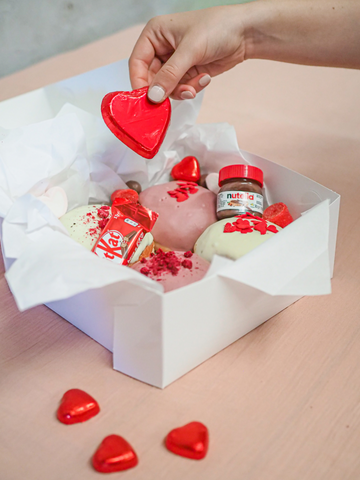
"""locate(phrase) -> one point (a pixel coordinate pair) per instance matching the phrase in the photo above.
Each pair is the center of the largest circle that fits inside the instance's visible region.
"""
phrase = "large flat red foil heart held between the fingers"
(137, 122)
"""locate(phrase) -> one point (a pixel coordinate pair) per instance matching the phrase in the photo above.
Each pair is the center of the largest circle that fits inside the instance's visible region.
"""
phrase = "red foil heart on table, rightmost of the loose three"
(191, 441)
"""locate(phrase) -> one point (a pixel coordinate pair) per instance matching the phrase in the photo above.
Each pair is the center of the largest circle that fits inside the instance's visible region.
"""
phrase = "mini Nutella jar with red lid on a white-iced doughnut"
(240, 191)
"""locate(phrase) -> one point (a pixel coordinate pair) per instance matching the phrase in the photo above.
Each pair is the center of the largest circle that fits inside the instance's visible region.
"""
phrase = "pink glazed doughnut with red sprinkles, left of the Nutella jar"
(185, 211)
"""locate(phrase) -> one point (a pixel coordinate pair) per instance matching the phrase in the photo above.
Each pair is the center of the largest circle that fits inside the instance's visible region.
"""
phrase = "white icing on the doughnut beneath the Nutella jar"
(231, 245)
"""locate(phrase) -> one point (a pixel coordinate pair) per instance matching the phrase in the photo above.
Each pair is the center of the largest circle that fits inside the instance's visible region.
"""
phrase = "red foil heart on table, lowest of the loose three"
(113, 455)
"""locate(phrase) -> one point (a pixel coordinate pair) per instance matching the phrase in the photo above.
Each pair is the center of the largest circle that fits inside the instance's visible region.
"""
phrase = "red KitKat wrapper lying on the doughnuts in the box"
(128, 224)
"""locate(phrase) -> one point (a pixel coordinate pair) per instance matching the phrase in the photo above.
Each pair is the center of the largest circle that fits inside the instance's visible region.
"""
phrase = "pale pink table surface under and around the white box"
(280, 403)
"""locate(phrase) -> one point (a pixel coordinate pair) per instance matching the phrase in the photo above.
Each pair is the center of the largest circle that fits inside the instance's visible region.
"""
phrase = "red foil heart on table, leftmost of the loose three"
(77, 406)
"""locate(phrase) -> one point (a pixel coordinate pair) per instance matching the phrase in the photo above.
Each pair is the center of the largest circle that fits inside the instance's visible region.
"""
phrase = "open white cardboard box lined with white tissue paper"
(55, 136)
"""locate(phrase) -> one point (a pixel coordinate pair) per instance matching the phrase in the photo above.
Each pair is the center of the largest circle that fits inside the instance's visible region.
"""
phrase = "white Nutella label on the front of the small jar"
(240, 201)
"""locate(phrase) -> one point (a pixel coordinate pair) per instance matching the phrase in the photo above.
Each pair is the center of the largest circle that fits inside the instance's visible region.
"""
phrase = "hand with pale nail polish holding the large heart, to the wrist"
(176, 55)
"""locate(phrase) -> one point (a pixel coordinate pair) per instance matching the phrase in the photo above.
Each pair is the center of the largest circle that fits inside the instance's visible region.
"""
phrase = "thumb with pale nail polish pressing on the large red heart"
(170, 74)
